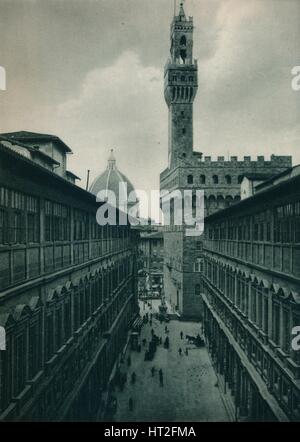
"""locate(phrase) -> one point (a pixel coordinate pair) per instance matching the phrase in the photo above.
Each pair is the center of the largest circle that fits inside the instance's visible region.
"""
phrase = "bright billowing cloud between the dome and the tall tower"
(119, 106)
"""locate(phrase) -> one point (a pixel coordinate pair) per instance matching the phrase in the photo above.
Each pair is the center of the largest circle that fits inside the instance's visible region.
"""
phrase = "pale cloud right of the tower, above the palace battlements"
(245, 102)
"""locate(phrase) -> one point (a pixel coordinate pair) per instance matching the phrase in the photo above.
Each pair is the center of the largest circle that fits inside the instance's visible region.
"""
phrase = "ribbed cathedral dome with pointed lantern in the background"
(112, 180)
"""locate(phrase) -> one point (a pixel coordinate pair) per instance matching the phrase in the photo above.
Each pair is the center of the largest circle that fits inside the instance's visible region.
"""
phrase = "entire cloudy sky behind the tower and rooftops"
(91, 72)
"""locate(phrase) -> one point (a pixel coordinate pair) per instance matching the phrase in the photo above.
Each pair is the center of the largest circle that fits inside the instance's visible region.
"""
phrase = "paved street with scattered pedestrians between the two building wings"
(189, 392)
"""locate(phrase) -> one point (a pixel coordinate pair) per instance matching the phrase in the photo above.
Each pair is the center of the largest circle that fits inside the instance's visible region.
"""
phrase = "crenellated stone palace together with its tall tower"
(187, 169)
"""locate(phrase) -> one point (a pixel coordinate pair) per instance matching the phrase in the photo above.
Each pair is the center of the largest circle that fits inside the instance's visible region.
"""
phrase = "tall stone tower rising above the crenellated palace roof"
(181, 83)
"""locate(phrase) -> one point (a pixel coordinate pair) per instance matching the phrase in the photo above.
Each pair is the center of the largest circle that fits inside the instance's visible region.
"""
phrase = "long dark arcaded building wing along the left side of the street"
(68, 295)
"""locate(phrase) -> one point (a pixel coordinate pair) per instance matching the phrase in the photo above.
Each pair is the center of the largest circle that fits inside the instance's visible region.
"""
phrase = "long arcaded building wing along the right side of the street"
(250, 291)
